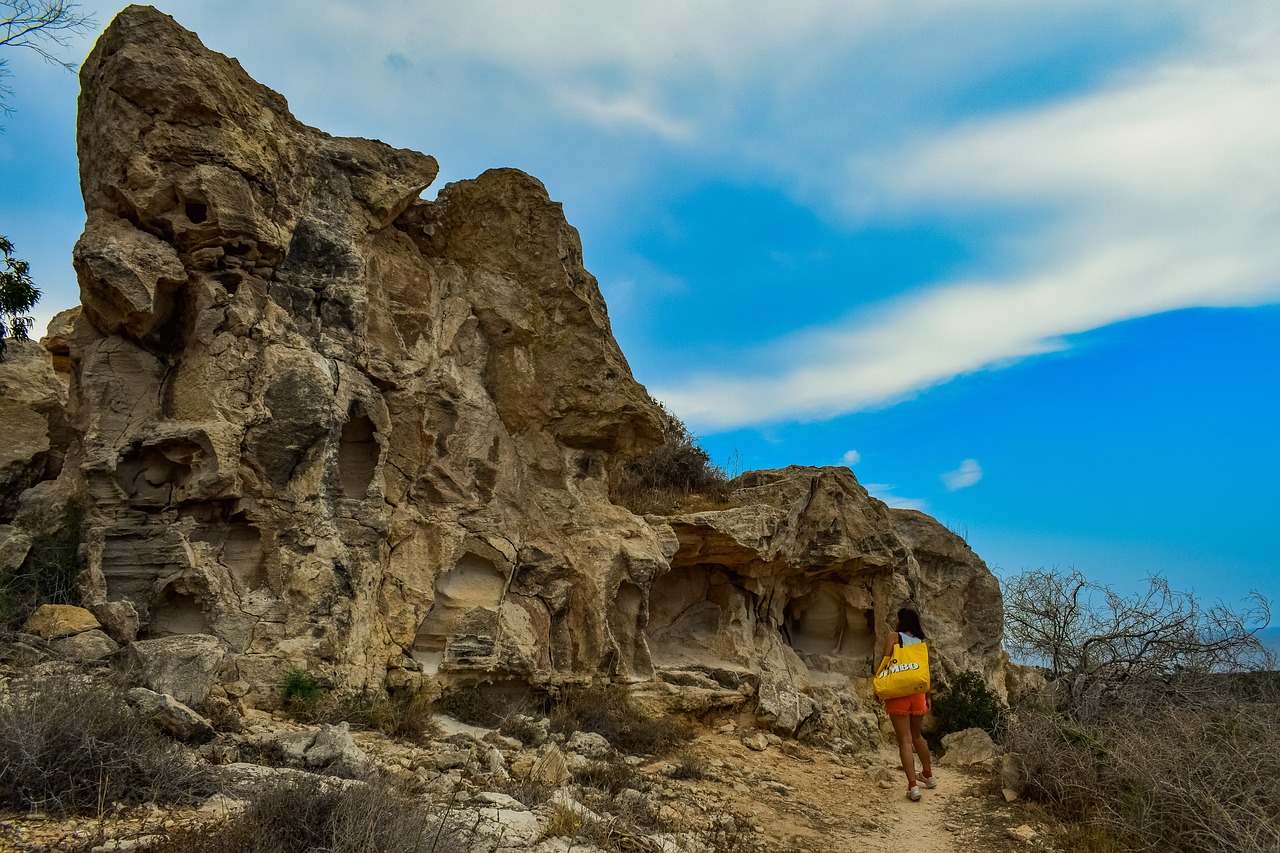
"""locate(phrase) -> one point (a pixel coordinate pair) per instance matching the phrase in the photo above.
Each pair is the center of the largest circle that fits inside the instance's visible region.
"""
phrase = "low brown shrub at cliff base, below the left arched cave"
(612, 714)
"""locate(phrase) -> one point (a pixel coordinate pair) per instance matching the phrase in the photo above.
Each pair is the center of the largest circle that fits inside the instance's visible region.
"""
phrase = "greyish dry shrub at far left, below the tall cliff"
(76, 747)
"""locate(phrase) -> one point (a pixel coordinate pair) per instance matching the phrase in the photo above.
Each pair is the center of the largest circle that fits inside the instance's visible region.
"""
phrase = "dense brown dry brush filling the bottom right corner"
(1176, 774)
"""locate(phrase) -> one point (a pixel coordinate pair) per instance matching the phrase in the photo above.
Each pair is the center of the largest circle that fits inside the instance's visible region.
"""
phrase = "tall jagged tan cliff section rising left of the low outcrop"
(328, 423)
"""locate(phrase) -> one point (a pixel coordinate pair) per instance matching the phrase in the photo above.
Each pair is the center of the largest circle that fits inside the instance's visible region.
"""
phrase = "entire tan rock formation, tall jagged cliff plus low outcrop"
(341, 428)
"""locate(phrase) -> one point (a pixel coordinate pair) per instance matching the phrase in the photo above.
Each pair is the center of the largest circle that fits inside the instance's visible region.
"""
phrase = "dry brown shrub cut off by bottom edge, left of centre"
(317, 815)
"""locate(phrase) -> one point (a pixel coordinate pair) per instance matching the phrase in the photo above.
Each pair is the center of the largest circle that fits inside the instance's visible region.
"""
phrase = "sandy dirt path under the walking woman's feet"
(803, 801)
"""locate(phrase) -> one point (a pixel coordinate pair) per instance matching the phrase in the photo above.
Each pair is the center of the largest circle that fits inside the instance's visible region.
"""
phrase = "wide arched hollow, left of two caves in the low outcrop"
(700, 614)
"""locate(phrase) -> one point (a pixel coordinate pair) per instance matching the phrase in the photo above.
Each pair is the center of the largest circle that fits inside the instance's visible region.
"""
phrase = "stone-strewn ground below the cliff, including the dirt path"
(732, 788)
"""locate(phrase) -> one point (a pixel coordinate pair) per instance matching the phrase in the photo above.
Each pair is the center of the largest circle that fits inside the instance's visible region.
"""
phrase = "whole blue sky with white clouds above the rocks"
(1017, 264)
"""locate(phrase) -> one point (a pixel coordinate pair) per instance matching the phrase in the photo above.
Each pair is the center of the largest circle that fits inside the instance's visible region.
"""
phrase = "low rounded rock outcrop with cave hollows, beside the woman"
(801, 586)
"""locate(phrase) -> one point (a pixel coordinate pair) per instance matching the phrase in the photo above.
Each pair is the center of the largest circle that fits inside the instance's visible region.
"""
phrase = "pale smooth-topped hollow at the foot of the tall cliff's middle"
(467, 605)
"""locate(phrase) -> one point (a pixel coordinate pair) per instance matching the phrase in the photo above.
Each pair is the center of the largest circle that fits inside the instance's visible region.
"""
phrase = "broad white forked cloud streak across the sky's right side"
(1160, 191)
